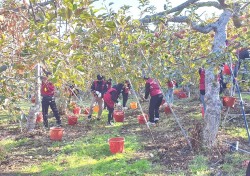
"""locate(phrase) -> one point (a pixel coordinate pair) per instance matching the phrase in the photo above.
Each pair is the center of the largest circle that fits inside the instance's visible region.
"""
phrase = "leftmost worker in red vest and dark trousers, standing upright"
(48, 99)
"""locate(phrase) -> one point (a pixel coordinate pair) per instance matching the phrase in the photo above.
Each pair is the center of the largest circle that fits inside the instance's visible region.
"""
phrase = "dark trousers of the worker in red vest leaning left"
(154, 105)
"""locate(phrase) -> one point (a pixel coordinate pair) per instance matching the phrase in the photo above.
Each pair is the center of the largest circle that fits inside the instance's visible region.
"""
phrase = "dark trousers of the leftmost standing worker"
(46, 102)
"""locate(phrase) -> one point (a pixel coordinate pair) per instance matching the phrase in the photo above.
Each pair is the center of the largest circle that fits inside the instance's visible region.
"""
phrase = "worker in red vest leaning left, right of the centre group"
(152, 88)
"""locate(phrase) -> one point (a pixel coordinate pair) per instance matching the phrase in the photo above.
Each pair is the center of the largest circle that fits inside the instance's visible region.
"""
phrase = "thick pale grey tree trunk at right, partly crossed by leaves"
(212, 99)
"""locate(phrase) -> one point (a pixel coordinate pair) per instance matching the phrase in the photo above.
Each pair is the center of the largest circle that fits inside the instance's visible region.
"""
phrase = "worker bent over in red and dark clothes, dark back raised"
(111, 98)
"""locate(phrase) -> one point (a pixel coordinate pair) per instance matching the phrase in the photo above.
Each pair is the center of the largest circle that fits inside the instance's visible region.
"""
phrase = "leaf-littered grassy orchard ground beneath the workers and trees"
(162, 150)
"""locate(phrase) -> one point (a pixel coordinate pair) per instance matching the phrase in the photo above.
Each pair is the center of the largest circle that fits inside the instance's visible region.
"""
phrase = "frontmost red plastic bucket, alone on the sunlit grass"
(116, 145)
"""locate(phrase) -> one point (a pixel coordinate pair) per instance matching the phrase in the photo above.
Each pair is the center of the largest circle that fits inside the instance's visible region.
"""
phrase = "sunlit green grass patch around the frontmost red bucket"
(91, 156)
